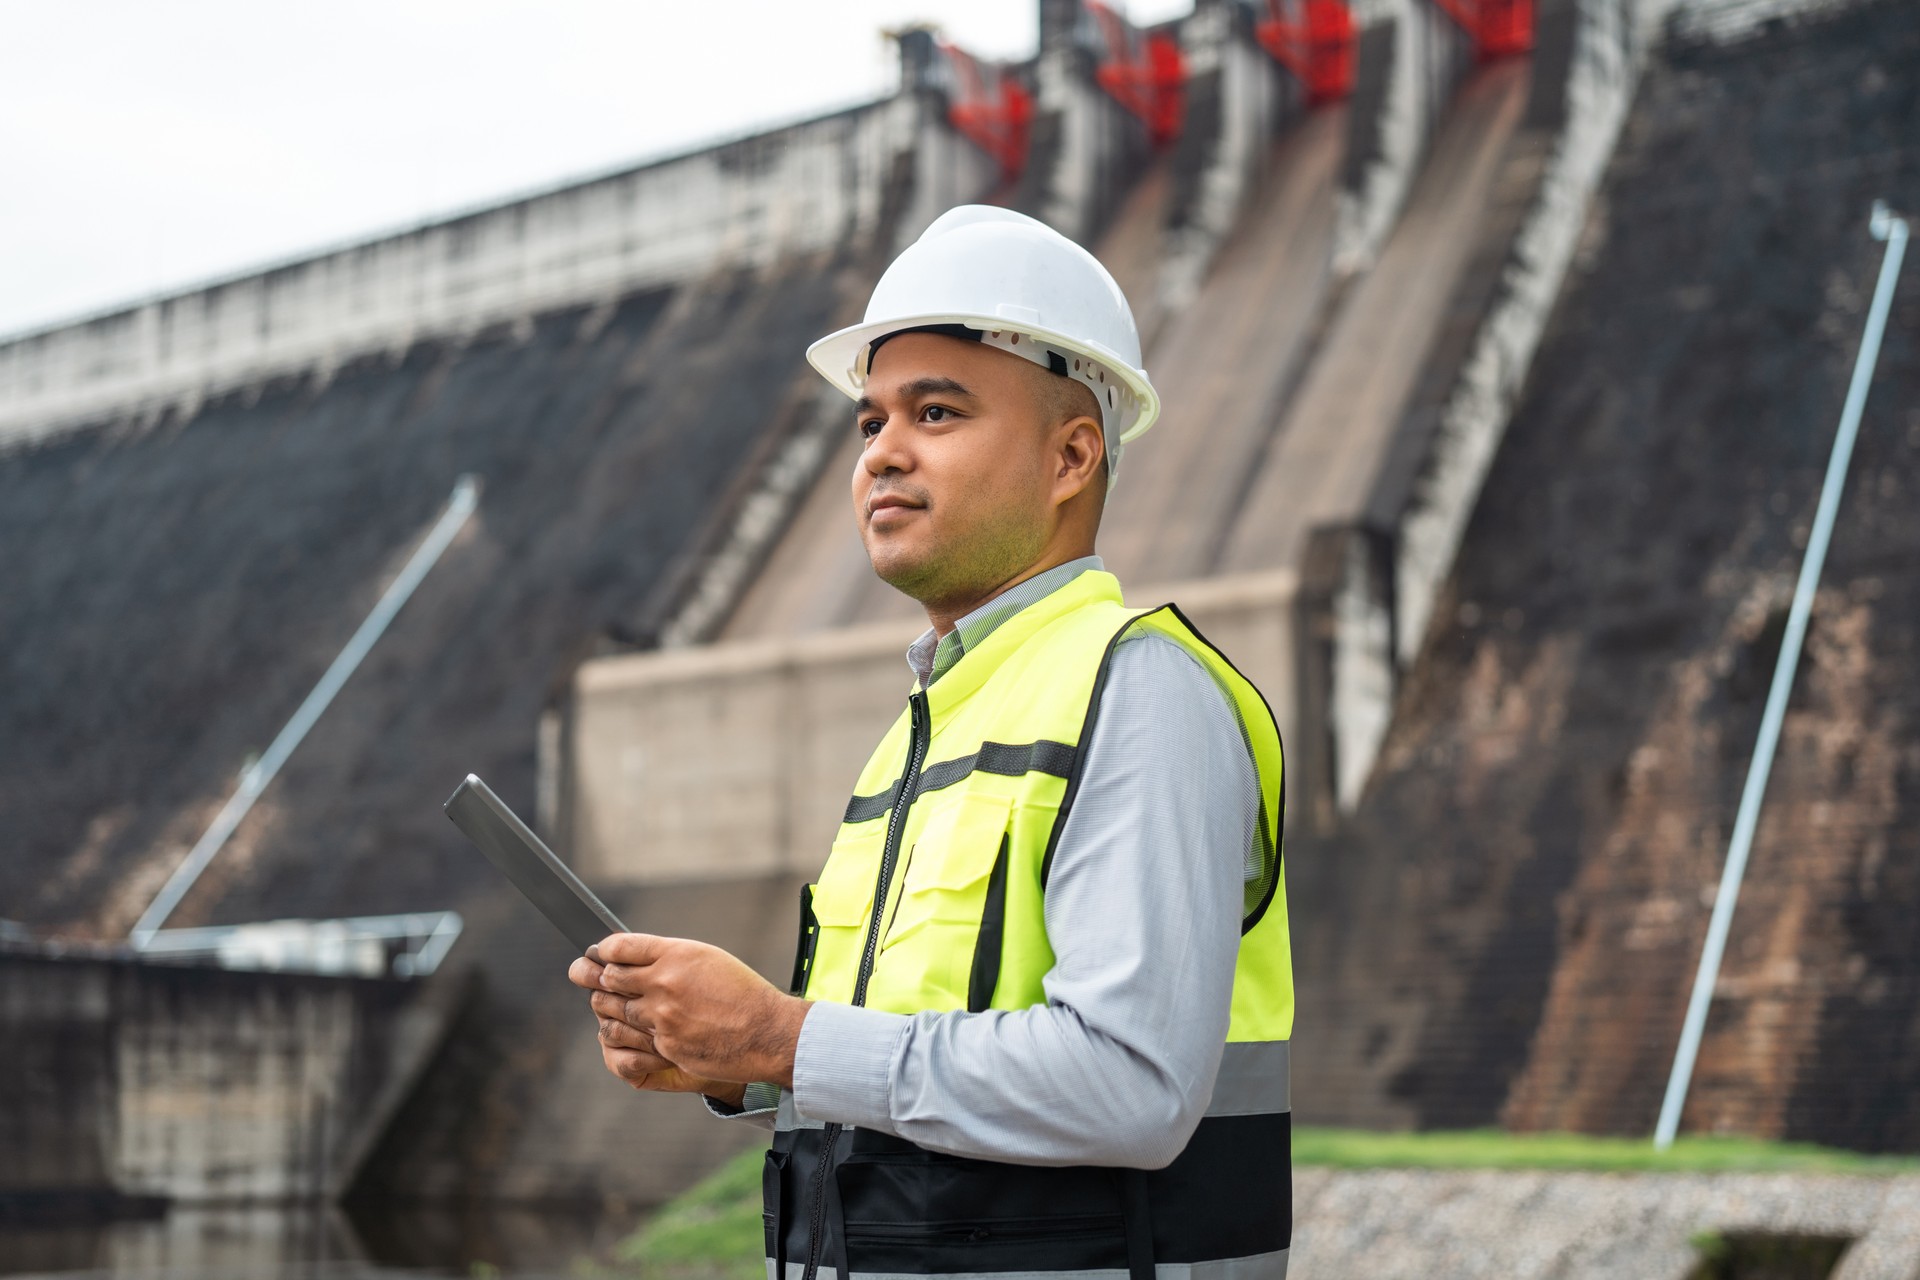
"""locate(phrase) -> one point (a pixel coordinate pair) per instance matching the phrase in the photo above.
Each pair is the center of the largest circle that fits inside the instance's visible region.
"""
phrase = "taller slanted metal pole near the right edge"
(1894, 231)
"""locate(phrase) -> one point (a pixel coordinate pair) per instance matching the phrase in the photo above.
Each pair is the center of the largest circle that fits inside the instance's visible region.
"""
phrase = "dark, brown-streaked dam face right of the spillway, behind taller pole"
(1541, 841)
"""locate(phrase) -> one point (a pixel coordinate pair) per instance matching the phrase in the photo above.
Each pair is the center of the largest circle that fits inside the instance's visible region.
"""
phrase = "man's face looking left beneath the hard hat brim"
(955, 486)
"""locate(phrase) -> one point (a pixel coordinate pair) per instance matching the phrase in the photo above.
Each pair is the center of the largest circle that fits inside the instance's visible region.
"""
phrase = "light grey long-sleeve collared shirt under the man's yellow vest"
(1143, 911)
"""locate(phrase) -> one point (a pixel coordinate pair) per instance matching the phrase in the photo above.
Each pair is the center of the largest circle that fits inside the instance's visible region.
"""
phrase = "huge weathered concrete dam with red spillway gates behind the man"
(1500, 377)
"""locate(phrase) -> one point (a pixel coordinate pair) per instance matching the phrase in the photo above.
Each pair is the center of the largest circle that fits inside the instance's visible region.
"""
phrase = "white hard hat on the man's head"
(1024, 289)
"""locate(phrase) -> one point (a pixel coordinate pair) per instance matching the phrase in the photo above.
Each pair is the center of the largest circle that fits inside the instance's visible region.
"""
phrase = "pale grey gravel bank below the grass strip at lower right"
(1481, 1225)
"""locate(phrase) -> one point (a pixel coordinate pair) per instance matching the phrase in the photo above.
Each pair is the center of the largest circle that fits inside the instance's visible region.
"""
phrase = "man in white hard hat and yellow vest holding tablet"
(1044, 993)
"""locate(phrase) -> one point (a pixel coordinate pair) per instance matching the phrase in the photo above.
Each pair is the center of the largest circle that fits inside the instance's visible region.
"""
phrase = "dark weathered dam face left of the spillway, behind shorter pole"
(178, 588)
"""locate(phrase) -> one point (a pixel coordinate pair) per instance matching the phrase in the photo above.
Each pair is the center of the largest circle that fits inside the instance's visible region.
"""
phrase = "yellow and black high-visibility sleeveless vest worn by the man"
(932, 901)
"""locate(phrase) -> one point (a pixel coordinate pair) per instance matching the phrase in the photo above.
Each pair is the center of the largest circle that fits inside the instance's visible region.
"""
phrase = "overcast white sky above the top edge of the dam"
(147, 145)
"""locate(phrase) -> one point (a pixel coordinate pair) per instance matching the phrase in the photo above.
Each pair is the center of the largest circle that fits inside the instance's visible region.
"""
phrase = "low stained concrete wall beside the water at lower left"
(133, 1085)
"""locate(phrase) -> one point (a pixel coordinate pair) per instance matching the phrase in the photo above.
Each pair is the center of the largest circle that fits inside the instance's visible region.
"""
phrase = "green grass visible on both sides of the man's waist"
(713, 1231)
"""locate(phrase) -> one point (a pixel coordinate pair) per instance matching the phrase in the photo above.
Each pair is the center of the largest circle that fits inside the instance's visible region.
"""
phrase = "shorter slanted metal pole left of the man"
(262, 772)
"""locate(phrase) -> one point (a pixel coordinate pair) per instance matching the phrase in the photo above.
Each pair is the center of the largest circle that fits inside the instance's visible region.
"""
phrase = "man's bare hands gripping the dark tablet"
(681, 1016)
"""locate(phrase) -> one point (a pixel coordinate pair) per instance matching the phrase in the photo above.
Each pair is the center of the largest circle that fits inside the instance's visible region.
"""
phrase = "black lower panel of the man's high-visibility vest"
(898, 1208)
